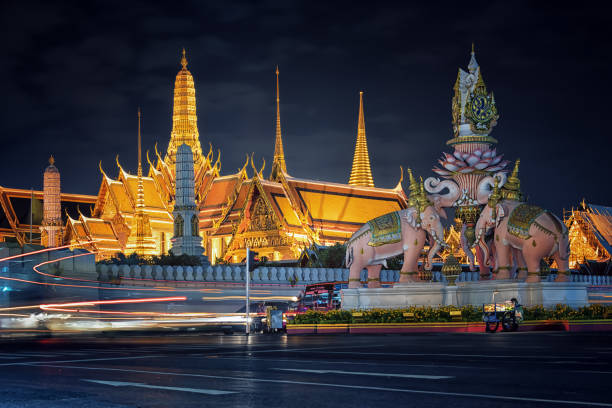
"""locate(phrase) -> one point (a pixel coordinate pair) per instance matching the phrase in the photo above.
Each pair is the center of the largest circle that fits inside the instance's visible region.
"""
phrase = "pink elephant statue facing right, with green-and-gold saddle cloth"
(392, 234)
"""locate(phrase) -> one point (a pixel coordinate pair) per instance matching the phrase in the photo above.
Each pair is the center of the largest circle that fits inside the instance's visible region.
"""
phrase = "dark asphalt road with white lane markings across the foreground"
(429, 370)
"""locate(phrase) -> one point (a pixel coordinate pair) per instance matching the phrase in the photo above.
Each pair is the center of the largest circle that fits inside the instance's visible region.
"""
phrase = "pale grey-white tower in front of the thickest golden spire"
(186, 238)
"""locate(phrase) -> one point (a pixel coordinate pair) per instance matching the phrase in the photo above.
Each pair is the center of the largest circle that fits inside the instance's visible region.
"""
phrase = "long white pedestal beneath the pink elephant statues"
(547, 294)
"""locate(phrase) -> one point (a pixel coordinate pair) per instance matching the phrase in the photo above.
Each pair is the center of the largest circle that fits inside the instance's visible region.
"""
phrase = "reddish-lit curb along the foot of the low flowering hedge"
(446, 327)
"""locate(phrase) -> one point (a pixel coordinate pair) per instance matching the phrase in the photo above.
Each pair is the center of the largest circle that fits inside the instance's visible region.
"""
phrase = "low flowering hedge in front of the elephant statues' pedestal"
(442, 314)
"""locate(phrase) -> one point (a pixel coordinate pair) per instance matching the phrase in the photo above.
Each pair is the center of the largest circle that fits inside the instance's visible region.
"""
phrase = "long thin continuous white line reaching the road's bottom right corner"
(360, 387)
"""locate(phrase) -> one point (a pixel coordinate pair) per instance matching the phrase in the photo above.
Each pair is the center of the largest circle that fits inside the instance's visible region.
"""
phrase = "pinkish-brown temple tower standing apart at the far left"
(52, 208)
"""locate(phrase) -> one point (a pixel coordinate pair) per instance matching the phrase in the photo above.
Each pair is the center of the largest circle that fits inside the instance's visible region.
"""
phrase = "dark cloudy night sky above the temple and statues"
(73, 75)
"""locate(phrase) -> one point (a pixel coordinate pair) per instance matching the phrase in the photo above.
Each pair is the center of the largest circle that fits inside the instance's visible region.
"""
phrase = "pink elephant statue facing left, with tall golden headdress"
(522, 234)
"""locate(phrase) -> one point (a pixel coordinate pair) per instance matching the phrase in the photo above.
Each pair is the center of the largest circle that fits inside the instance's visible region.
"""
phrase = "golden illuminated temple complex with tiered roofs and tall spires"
(277, 215)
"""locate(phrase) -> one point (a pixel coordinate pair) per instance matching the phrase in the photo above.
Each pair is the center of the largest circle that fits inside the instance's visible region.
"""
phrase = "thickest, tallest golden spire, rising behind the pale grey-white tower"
(184, 118)
